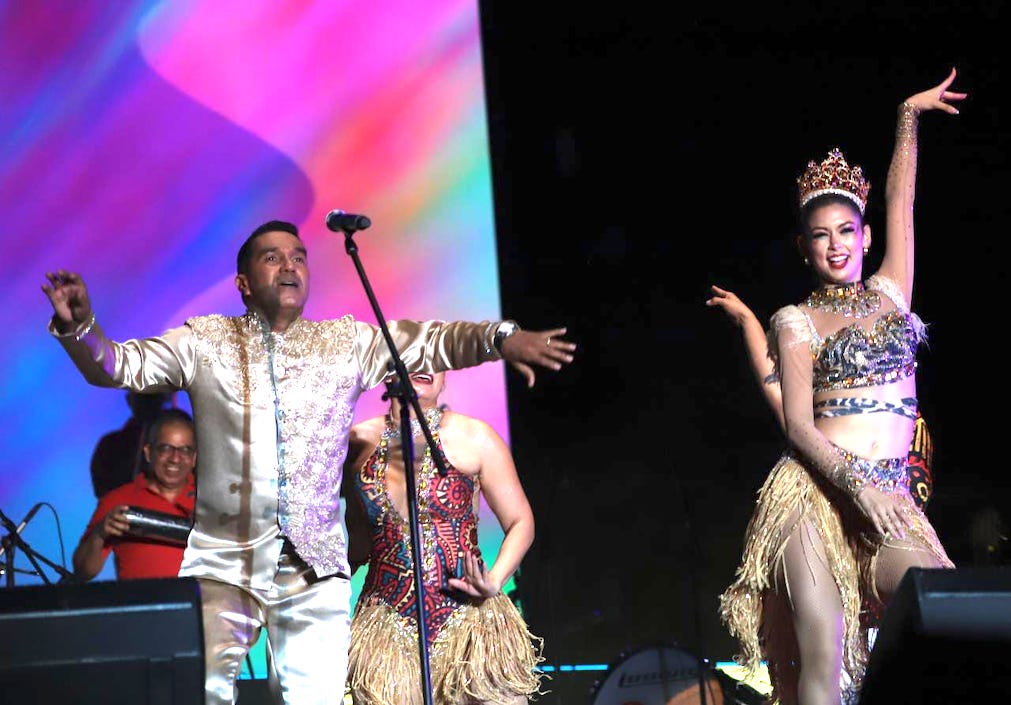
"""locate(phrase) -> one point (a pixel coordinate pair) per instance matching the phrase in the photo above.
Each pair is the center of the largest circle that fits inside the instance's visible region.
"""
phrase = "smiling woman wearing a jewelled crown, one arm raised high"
(835, 525)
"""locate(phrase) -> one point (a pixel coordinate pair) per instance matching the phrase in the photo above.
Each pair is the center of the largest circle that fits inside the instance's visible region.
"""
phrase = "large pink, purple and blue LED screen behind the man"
(144, 141)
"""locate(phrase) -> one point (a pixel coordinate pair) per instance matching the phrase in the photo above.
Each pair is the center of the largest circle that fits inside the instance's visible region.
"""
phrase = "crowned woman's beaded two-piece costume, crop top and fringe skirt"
(796, 496)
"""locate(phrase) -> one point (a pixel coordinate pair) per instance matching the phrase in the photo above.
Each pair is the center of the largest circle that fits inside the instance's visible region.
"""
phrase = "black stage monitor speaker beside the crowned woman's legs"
(946, 638)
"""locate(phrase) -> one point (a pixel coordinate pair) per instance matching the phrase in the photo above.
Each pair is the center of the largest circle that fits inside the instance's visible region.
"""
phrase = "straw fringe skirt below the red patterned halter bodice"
(484, 654)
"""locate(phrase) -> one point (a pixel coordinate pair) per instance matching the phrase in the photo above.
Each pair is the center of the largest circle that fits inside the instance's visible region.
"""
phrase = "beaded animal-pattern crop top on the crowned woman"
(854, 357)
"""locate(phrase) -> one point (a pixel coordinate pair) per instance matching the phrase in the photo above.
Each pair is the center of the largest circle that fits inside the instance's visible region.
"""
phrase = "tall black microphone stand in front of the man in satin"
(409, 400)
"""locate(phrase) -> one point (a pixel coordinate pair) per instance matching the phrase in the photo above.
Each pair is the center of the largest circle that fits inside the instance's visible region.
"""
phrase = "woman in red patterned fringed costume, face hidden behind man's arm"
(481, 651)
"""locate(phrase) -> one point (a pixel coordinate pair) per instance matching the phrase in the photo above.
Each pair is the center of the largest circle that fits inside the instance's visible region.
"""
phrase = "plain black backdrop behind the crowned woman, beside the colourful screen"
(642, 152)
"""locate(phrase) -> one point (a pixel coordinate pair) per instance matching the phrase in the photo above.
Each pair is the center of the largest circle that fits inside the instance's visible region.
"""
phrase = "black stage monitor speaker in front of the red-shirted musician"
(129, 643)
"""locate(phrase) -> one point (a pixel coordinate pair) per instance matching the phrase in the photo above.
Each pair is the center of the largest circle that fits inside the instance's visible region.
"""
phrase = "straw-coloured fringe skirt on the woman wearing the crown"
(756, 609)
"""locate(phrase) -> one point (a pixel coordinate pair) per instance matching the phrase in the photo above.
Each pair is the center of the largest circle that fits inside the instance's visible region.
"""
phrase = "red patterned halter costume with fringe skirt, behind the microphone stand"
(477, 652)
